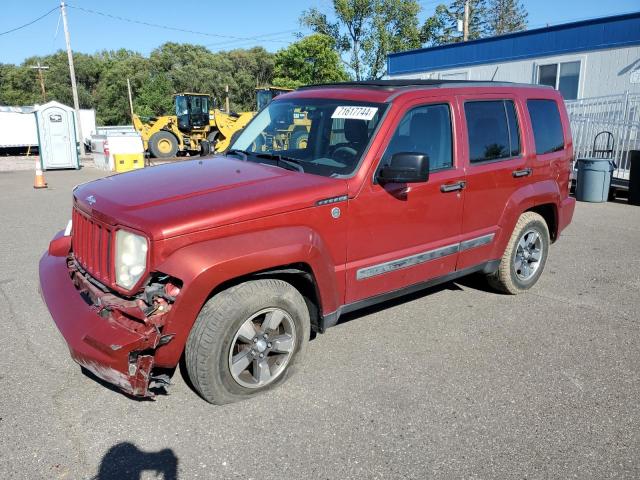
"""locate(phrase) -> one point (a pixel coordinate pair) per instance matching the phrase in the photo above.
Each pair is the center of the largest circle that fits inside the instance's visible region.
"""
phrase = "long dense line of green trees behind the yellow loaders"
(171, 68)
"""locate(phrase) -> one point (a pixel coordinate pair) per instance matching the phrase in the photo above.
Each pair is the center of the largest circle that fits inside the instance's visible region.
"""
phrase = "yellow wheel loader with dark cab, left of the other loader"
(196, 127)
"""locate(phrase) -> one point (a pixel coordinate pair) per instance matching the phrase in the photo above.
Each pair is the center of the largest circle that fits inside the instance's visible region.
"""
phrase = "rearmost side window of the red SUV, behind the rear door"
(546, 124)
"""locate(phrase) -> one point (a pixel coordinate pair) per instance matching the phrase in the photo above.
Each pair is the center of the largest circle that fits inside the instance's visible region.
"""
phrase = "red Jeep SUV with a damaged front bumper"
(333, 198)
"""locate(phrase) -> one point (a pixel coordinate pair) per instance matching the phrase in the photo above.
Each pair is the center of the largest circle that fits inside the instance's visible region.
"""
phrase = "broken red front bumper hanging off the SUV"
(100, 331)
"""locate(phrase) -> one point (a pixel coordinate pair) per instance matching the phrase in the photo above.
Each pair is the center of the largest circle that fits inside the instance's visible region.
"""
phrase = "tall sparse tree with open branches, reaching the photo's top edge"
(365, 31)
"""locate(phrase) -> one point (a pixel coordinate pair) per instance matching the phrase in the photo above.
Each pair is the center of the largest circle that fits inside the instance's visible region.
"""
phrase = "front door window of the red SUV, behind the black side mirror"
(425, 129)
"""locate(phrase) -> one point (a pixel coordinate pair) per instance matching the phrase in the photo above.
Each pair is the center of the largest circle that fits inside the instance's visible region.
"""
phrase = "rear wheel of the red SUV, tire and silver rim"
(524, 258)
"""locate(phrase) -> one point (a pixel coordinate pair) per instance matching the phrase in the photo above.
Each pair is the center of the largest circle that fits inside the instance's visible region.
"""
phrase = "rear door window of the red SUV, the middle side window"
(492, 129)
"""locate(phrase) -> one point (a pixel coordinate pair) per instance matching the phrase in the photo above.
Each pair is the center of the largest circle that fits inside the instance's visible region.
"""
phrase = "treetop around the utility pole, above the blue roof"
(442, 27)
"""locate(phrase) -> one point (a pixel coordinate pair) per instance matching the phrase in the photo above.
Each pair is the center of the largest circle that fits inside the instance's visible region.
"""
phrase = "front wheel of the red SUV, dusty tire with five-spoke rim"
(220, 336)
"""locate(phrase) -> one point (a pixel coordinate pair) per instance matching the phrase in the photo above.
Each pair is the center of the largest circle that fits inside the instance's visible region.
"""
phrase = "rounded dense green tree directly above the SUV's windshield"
(312, 59)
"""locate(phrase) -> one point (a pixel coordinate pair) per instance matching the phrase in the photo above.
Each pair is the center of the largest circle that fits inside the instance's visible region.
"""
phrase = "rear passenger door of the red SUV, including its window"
(497, 165)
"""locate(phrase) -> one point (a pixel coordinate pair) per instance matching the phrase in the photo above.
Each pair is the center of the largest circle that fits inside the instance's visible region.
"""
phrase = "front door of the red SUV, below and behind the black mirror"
(405, 234)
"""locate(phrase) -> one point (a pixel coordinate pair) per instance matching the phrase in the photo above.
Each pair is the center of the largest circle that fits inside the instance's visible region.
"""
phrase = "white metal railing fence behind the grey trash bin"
(616, 114)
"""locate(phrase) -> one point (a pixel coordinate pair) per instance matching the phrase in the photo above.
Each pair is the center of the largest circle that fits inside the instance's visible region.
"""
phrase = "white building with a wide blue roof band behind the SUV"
(584, 59)
